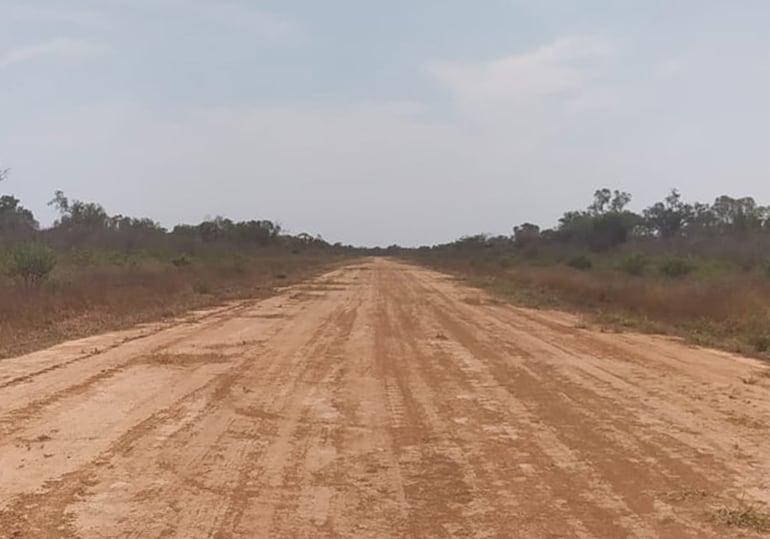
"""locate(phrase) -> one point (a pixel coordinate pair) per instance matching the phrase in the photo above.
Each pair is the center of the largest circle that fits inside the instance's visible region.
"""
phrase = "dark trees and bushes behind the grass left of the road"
(85, 234)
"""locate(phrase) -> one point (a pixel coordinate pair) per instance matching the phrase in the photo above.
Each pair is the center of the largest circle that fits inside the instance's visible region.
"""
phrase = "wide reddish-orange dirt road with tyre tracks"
(380, 400)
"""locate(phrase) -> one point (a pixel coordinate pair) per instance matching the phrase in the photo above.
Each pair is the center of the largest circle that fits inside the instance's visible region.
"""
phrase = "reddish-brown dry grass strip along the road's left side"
(82, 299)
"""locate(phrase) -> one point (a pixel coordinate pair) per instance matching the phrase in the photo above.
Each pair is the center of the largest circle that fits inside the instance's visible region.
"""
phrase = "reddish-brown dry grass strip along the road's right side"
(729, 309)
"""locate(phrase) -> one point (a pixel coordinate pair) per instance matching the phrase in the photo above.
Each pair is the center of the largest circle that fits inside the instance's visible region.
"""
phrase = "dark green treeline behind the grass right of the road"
(733, 228)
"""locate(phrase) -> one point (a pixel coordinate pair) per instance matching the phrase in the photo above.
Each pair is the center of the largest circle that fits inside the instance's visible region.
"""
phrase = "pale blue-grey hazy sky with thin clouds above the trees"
(369, 122)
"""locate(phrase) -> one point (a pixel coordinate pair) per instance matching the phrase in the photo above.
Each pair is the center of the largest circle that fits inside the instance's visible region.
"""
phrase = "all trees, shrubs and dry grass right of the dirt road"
(697, 270)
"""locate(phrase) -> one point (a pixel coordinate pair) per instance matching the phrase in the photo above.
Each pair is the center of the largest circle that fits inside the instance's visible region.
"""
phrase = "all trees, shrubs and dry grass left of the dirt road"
(91, 271)
